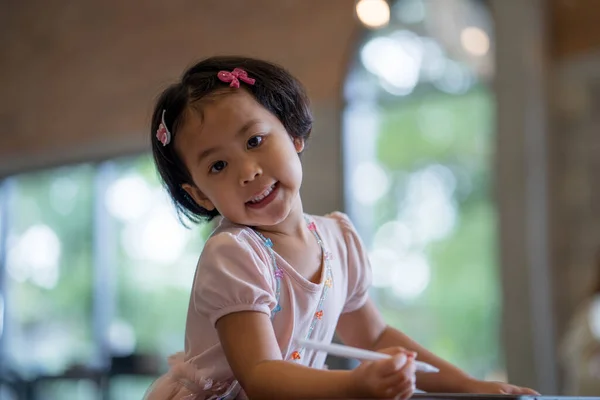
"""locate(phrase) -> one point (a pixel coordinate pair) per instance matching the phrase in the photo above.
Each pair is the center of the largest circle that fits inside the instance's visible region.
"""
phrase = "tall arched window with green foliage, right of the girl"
(418, 133)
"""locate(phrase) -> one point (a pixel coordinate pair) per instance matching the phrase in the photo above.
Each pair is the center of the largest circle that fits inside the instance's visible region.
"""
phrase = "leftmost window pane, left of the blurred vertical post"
(48, 271)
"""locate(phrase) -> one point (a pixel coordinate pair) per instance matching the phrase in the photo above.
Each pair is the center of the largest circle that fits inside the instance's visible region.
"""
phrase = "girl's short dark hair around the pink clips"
(275, 89)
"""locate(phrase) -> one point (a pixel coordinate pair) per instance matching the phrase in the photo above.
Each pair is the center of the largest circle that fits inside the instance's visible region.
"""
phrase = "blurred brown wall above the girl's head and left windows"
(78, 78)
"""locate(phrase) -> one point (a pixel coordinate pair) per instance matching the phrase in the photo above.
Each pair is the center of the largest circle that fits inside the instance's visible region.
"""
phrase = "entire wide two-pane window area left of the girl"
(97, 279)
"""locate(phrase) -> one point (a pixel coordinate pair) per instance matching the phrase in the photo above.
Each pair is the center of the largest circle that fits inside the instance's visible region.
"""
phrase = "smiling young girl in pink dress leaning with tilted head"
(227, 141)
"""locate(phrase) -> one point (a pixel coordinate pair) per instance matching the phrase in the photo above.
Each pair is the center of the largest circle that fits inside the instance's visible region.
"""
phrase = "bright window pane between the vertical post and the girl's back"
(156, 258)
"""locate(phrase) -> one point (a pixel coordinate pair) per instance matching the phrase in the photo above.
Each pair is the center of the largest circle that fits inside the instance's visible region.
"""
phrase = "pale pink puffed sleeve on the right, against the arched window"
(359, 267)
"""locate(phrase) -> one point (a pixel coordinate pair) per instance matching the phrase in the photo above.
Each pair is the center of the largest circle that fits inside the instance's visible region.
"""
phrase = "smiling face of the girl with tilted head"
(242, 160)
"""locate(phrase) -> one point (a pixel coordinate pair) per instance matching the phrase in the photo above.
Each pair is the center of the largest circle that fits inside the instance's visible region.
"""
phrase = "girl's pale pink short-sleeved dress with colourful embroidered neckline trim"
(238, 271)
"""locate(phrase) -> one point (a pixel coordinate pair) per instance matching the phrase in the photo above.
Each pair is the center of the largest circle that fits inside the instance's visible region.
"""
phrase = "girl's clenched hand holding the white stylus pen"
(392, 378)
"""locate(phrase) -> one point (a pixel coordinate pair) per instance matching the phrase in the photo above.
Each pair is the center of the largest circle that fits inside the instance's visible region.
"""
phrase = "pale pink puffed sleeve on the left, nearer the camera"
(233, 275)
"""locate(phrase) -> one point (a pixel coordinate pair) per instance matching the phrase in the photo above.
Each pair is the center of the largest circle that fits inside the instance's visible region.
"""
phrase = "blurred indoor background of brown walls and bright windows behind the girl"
(457, 134)
